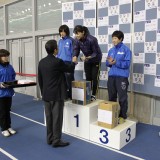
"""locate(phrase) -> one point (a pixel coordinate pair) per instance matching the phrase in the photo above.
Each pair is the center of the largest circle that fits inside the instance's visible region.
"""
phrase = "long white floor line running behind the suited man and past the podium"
(120, 152)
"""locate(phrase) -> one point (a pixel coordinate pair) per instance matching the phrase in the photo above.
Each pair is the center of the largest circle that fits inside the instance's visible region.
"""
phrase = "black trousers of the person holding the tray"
(5, 118)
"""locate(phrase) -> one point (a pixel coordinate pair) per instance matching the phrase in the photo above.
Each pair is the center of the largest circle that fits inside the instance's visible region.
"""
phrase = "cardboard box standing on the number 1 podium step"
(81, 92)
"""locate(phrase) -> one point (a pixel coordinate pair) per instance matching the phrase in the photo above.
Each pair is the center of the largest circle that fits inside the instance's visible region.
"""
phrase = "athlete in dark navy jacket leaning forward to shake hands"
(92, 56)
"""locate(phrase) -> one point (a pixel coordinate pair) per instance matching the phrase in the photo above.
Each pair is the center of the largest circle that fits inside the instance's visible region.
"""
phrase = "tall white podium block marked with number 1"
(77, 118)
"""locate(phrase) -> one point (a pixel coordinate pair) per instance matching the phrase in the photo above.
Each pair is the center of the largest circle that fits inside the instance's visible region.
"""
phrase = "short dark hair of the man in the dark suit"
(50, 46)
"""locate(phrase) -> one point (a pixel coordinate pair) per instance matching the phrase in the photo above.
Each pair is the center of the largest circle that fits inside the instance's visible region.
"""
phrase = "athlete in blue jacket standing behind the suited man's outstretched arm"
(65, 52)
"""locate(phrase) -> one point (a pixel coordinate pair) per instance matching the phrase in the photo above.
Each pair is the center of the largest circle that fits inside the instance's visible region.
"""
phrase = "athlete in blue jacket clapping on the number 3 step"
(119, 59)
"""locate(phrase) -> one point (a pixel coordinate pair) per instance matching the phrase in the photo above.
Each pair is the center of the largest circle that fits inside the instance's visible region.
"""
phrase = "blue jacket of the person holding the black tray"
(7, 73)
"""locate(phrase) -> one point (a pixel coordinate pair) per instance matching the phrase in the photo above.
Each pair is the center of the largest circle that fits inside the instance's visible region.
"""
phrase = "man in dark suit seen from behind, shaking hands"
(53, 88)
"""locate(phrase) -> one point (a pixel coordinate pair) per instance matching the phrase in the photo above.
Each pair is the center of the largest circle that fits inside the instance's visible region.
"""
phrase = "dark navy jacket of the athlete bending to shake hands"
(89, 46)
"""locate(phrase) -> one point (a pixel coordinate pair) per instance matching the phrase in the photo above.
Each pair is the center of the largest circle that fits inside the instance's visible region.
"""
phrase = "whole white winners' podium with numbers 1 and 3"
(81, 121)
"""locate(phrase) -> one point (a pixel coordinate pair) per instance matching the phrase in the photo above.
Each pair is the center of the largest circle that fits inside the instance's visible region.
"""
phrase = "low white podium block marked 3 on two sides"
(115, 138)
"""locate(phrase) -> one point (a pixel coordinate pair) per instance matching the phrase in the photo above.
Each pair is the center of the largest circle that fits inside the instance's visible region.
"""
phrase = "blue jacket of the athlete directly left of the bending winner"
(65, 49)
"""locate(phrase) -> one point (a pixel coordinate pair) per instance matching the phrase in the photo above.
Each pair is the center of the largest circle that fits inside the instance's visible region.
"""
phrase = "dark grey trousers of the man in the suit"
(54, 120)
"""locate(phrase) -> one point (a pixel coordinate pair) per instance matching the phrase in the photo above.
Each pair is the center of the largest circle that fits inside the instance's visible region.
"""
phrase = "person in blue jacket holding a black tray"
(7, 73)
